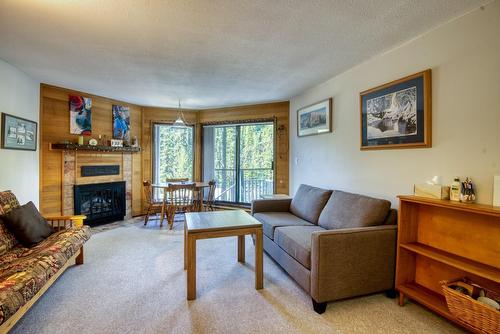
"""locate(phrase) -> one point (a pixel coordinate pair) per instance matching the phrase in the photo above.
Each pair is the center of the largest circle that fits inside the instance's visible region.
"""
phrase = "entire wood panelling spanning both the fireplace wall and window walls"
(54, 127)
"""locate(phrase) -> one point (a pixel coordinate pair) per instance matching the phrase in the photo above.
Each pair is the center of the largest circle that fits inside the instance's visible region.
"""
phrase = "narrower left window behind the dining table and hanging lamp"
(172, 153)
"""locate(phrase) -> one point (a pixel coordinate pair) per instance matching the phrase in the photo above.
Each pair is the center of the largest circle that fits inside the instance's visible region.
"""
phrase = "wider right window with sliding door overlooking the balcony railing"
(240, 158)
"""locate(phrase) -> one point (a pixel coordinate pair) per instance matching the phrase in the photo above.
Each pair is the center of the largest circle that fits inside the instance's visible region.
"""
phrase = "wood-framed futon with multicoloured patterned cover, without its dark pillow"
(26, 273)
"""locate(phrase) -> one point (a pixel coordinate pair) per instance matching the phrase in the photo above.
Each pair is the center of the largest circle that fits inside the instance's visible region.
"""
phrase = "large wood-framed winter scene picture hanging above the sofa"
(397, 114)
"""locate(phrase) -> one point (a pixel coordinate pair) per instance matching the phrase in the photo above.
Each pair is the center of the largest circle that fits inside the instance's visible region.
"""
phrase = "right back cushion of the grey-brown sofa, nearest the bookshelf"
(346, 210)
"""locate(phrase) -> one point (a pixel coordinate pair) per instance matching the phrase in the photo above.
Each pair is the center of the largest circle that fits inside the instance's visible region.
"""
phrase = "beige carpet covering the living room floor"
(133, 282)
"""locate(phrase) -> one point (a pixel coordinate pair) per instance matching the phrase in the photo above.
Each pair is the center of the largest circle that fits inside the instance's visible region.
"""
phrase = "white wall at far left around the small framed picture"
(19, 95)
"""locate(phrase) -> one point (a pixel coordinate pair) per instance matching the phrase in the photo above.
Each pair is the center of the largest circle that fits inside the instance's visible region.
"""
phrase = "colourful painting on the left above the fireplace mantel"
(80, 115)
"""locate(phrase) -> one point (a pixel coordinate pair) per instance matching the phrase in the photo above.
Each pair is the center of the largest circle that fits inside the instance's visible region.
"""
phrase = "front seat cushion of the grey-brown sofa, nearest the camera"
(296, 241)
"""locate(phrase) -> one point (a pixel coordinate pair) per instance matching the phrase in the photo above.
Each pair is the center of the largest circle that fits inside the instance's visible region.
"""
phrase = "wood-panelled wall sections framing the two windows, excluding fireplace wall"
(269, 111)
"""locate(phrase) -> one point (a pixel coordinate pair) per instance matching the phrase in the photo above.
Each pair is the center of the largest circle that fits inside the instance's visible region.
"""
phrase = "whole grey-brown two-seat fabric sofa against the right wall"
(334, 244)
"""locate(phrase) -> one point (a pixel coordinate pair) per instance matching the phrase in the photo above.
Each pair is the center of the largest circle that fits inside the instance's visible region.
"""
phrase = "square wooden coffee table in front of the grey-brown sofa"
(219, 224)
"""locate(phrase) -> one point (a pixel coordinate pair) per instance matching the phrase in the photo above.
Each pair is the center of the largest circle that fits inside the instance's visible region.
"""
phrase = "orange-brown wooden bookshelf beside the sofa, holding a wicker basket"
(443, 240)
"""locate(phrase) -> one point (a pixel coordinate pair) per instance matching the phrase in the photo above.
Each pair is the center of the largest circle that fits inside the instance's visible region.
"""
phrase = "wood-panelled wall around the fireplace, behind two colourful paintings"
(54, 127)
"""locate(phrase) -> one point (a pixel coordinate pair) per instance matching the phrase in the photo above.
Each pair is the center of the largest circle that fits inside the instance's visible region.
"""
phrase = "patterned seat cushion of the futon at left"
(24, 271)
